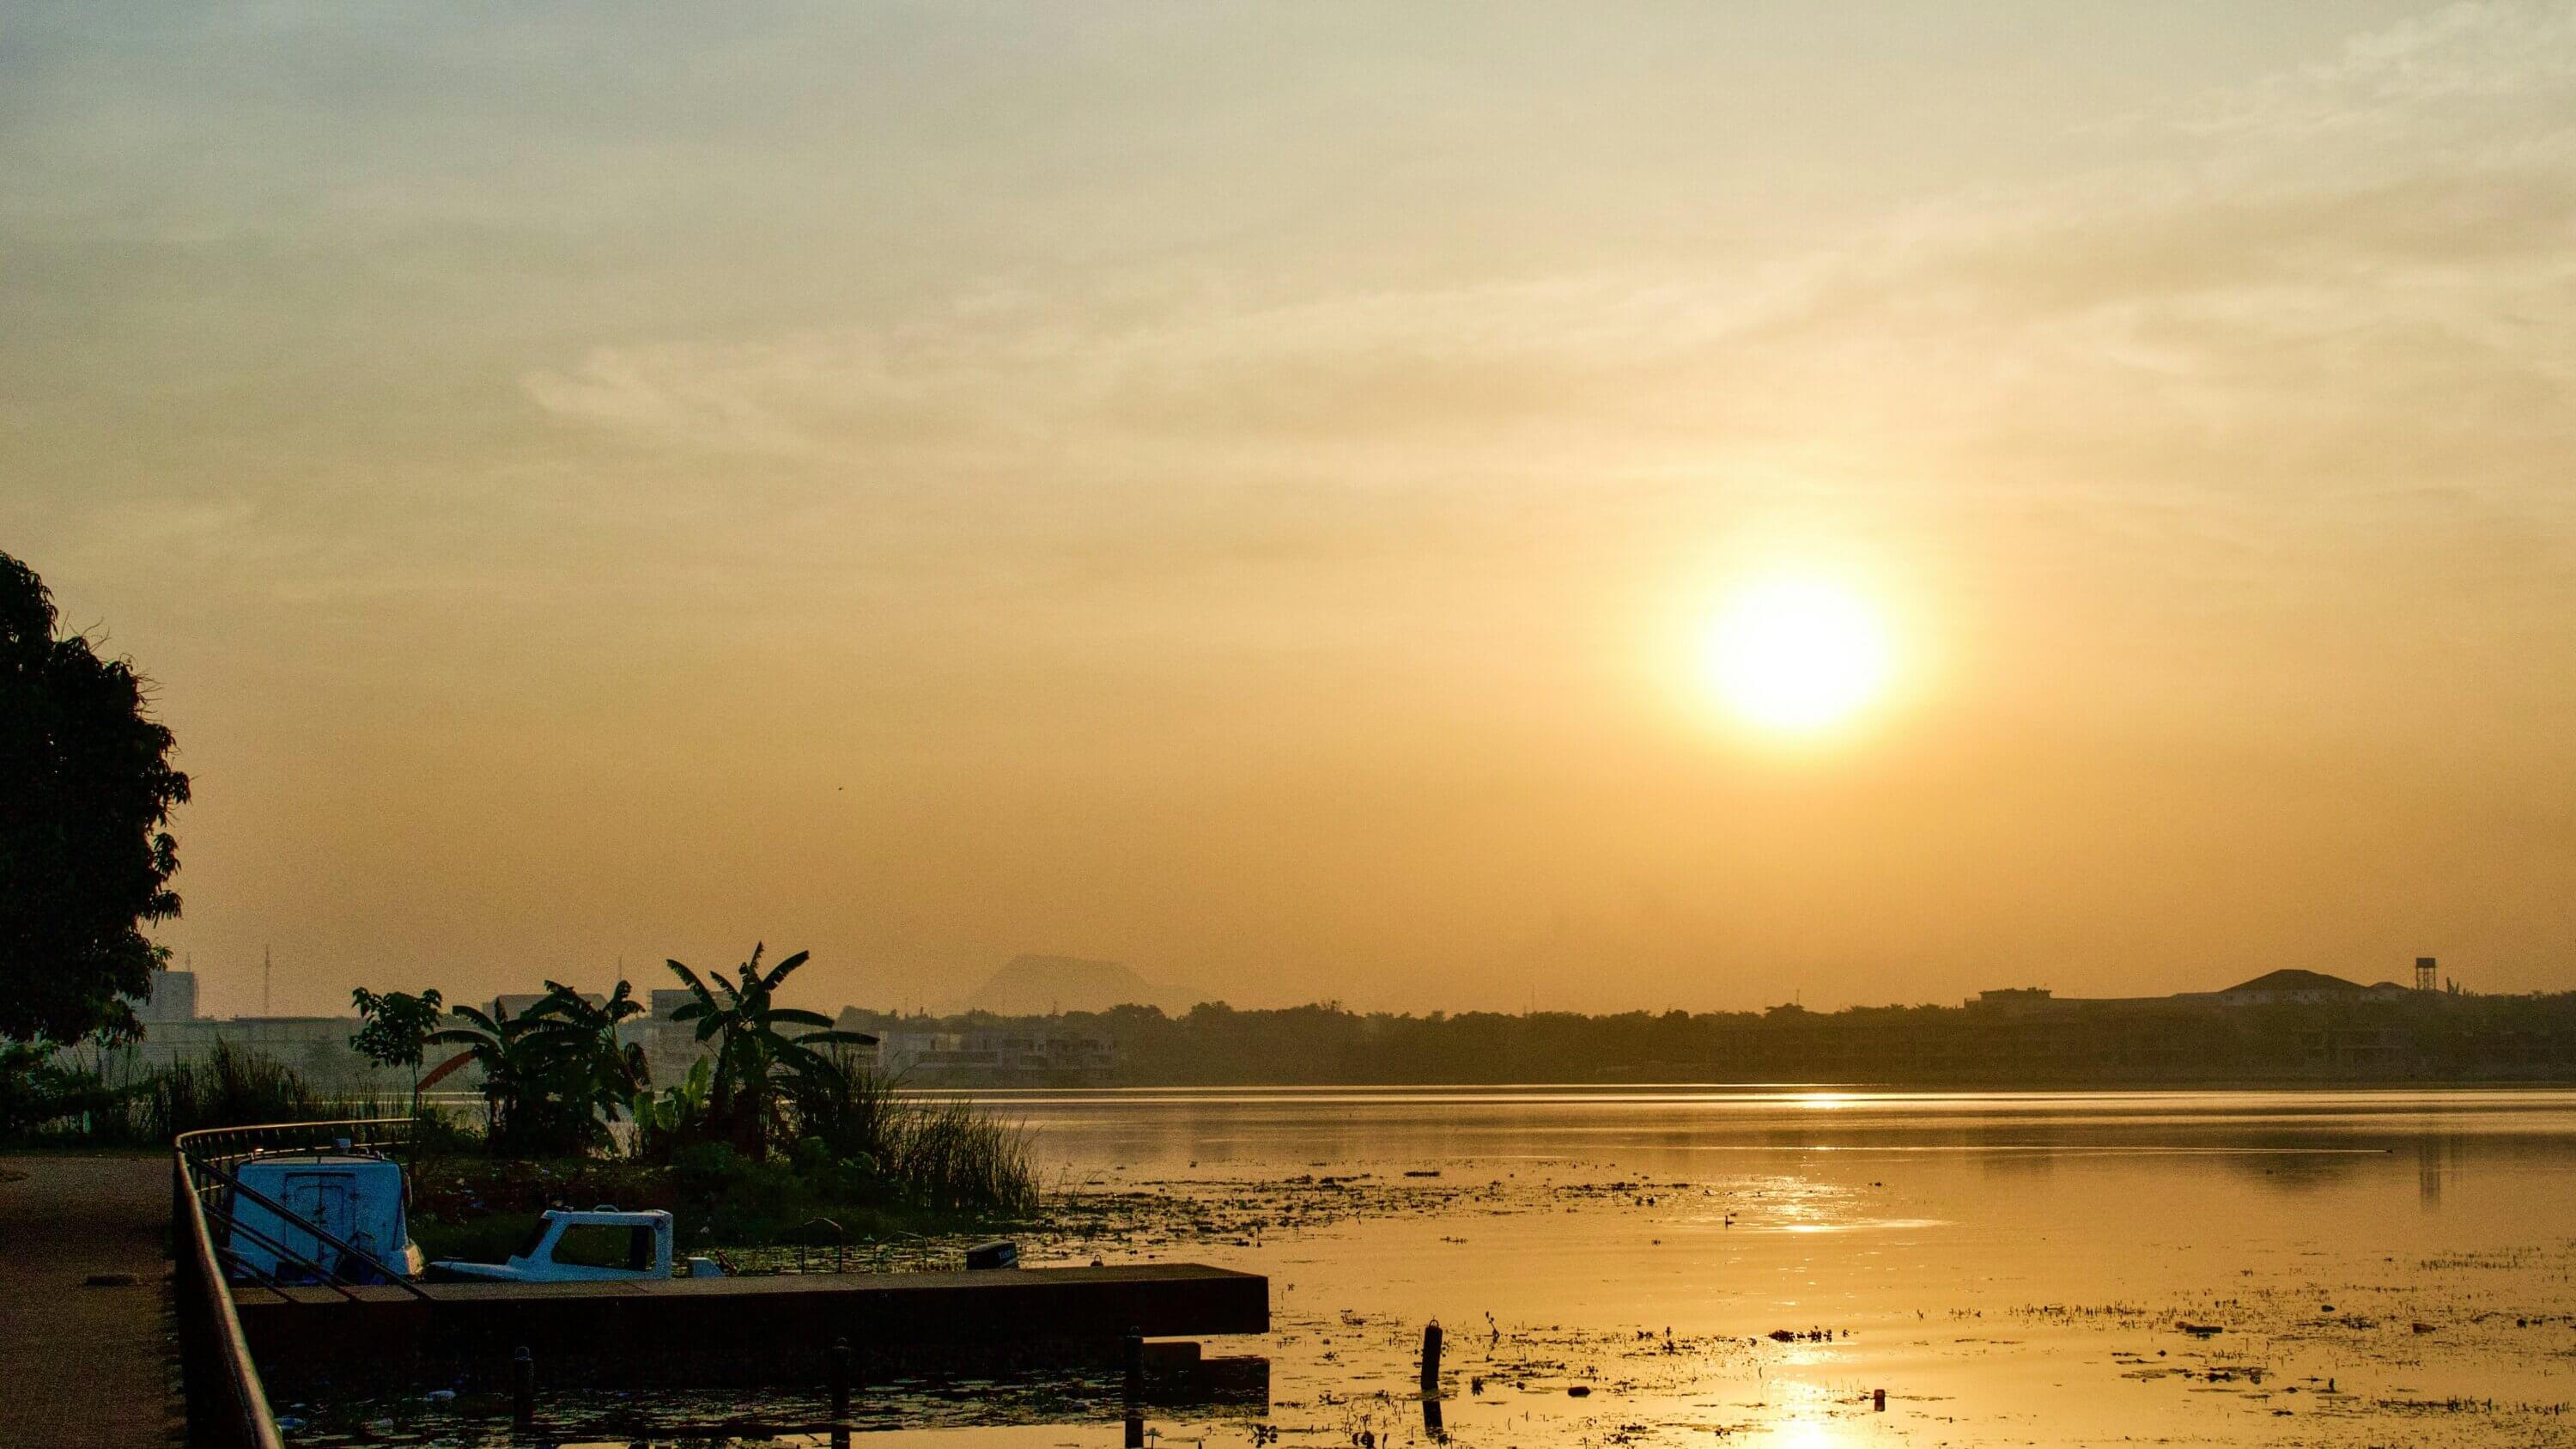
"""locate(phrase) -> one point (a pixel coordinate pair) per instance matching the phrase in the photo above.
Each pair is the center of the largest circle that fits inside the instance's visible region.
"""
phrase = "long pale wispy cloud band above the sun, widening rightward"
(2263, 275)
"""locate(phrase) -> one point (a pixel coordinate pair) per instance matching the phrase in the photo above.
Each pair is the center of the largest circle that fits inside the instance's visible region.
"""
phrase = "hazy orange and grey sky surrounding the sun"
(1240, 489)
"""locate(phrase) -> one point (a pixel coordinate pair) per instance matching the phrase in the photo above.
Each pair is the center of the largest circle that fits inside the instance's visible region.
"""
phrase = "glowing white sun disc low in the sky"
(1797, 654)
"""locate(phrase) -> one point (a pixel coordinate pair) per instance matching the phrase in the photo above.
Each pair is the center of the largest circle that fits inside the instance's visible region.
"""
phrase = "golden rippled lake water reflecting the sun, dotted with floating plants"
(1611, 1267)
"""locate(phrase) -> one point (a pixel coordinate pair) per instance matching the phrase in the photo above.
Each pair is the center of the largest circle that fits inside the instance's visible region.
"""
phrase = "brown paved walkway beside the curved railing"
(86, 1365)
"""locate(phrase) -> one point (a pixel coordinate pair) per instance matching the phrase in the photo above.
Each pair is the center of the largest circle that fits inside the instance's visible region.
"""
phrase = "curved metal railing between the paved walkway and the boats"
(228, 1406)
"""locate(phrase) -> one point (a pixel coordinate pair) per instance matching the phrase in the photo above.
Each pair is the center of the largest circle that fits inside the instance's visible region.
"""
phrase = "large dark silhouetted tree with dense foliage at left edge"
(86, 788)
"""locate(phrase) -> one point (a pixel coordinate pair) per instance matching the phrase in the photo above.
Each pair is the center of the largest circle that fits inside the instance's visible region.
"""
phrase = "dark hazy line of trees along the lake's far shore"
(2420, 1038)
